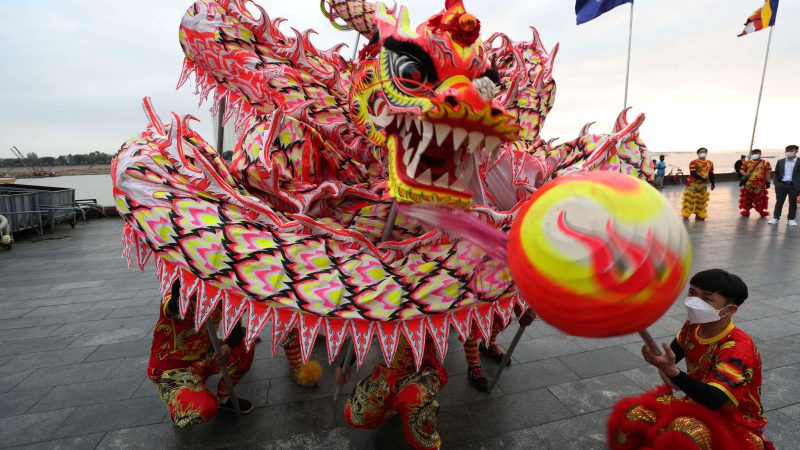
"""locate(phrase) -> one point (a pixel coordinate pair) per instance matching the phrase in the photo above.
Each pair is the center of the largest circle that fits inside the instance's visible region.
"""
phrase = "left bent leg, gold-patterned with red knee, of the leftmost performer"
(184, 393)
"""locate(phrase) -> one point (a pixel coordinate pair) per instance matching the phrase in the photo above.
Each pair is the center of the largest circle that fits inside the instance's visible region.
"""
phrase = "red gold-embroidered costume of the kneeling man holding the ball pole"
(659, 420)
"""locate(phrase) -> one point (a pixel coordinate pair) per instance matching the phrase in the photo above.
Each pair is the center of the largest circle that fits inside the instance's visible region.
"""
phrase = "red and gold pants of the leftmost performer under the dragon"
(185, 394)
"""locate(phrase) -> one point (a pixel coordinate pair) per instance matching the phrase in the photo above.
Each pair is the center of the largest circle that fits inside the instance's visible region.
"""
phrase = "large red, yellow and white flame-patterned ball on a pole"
(599, 254)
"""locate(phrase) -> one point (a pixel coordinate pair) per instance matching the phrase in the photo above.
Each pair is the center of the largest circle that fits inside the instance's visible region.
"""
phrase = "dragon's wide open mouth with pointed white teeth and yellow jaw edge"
(434, 158)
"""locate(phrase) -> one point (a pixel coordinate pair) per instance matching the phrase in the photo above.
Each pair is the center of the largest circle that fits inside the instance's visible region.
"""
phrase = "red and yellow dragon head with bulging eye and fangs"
(426, 96)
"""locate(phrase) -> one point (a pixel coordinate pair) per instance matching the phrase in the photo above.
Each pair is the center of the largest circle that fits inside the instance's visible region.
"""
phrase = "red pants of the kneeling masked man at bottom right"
(658, 421)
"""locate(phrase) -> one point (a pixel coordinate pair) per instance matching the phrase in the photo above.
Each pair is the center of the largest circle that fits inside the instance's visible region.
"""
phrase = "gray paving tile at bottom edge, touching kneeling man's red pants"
(585, 432)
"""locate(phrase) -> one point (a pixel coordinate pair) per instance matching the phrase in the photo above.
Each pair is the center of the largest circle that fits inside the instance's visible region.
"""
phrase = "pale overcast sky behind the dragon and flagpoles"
(73, 72)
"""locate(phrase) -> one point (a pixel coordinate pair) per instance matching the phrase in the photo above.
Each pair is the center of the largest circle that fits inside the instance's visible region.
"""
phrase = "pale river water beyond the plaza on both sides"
(99, 186)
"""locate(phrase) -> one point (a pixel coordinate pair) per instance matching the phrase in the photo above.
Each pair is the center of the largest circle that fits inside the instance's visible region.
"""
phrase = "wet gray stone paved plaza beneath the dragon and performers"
(76, 324)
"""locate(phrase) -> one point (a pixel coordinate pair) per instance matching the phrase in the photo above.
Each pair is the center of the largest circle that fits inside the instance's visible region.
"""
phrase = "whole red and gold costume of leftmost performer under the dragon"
(181, 361)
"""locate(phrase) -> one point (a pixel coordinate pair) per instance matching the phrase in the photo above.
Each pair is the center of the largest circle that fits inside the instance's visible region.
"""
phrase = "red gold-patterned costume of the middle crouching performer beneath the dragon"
(404, 390)
